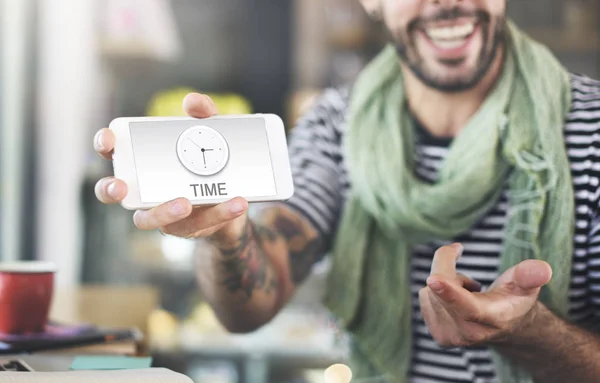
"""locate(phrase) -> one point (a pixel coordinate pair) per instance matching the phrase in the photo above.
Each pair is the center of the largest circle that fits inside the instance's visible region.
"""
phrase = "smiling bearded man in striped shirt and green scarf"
(463, 136)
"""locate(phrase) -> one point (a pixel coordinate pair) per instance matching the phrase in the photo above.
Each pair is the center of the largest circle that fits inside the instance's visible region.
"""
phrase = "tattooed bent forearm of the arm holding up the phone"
(248, 276)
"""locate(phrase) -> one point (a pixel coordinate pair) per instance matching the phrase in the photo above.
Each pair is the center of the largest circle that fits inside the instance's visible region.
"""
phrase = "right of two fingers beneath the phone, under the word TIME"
(207, 218)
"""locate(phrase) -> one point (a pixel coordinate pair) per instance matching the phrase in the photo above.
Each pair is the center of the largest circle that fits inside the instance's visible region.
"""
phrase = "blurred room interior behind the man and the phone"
(68, 67)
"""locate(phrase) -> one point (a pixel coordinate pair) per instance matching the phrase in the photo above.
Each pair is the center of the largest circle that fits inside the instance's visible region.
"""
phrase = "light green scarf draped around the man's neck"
(516, 137)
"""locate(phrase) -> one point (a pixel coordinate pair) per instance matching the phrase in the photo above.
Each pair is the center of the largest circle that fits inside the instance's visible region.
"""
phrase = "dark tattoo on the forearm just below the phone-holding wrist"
(245, 267)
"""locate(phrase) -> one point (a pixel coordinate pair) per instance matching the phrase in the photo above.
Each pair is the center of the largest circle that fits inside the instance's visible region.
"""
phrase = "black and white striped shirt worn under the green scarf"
(322, 184)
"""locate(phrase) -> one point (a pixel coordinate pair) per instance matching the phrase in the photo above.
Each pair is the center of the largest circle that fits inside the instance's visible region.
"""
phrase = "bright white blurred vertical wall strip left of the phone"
(70, 76)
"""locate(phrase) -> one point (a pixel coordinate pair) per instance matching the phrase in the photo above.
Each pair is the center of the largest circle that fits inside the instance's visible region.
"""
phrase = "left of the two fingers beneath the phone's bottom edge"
(163, 215)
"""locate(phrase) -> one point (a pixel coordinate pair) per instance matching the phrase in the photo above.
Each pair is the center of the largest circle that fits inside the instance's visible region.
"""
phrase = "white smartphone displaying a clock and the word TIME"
(207, 161)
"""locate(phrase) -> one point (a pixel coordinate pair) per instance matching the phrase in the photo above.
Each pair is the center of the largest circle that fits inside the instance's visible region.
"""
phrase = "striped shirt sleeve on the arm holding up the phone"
(316, 161)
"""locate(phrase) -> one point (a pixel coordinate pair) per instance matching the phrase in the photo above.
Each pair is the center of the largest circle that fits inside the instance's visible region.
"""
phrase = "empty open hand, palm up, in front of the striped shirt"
(459, 315)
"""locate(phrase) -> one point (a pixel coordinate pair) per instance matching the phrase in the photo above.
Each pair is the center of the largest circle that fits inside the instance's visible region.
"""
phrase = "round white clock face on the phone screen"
(202, 150)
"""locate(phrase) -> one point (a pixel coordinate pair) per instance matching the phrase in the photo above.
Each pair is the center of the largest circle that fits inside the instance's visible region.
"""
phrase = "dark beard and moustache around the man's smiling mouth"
(409, 54)
